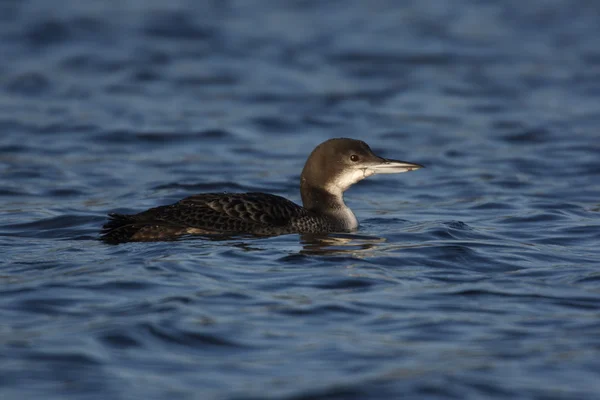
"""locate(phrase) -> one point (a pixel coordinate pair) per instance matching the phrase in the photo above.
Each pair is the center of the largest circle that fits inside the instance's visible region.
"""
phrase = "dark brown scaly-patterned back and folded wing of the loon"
(204, 213)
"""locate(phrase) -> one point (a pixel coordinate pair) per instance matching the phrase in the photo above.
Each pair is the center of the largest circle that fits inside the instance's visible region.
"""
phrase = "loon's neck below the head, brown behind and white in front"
(329, 204)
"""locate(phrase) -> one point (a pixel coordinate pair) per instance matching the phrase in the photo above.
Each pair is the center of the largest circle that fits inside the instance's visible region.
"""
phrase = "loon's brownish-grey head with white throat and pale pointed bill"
(337, 164)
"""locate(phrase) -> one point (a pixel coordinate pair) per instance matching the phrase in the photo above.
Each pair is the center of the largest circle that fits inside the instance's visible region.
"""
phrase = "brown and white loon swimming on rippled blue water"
(331, 169)
